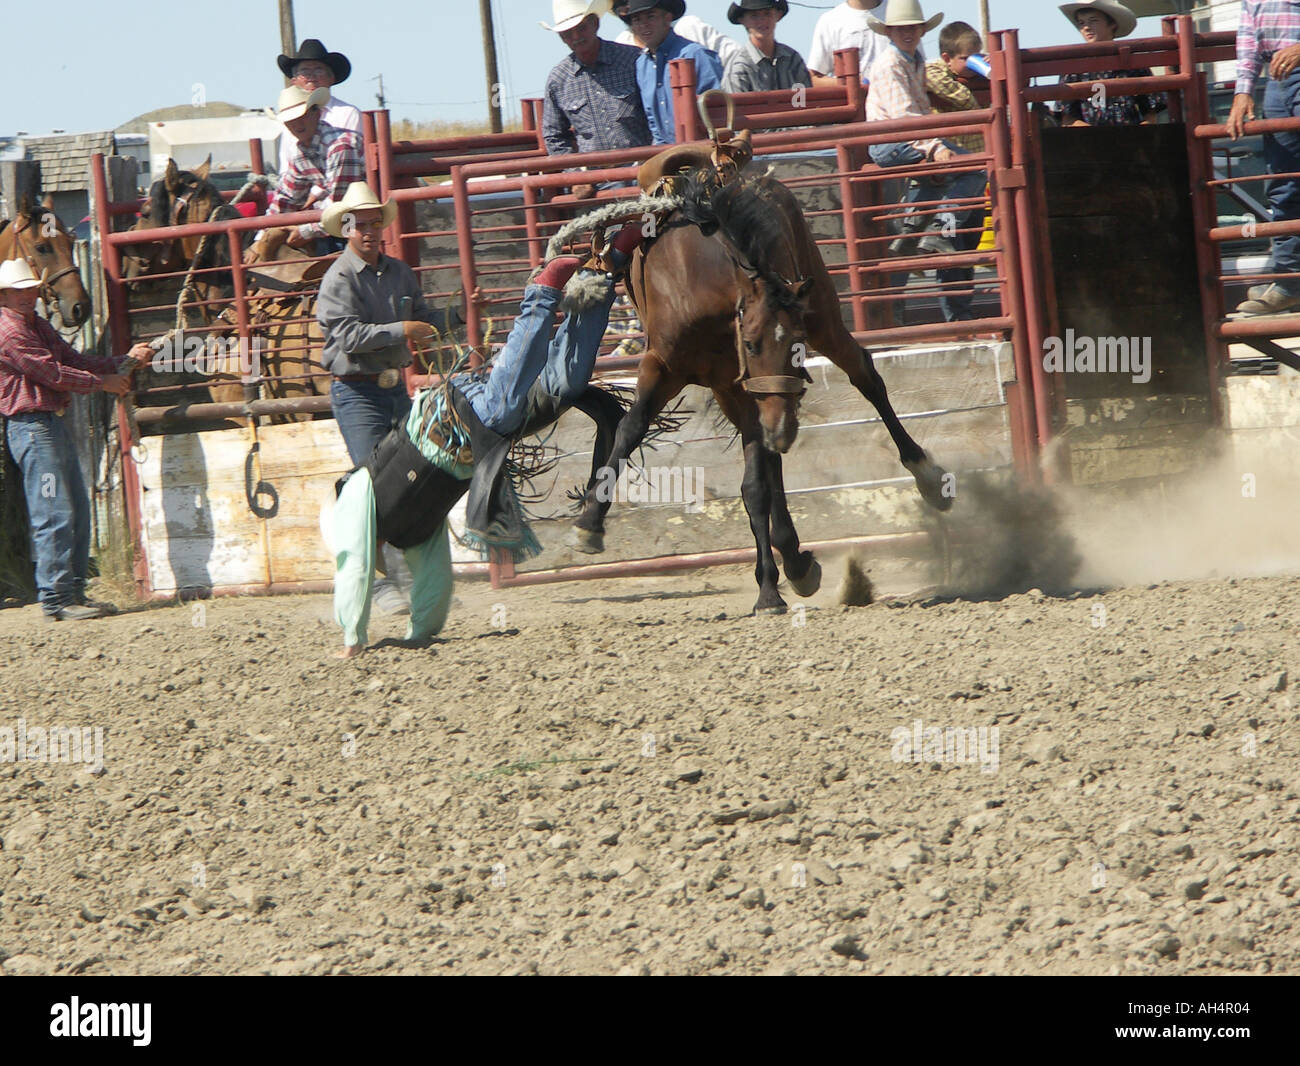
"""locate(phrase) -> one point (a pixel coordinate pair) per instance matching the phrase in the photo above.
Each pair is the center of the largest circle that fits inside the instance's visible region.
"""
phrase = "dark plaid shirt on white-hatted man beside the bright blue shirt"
(595, 109)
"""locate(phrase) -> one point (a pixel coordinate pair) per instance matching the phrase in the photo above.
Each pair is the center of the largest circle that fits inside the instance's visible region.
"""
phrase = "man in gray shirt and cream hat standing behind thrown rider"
(370, 306)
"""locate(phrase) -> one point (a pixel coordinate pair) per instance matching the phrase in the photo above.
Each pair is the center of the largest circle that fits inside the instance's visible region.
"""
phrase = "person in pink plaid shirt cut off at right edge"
(1271, 31)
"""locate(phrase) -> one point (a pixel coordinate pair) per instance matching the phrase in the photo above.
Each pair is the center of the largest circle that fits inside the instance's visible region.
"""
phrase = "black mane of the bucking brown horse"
(748, 219)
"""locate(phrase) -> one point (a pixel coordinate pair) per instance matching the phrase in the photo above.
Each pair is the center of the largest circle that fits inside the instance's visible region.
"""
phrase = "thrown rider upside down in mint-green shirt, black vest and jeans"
(456, 439)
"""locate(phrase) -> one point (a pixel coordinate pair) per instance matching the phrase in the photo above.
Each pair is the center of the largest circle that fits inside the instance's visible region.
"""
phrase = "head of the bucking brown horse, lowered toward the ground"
(773, 346)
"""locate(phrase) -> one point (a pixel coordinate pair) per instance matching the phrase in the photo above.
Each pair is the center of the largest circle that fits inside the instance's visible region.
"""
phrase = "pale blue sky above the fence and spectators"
(105, 64)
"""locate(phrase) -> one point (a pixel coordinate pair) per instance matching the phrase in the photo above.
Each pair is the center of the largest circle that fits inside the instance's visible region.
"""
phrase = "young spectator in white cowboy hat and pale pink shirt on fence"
(899, 92)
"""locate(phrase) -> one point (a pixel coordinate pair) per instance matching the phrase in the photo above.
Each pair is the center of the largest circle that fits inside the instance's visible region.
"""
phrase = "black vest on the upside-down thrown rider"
(413, 496)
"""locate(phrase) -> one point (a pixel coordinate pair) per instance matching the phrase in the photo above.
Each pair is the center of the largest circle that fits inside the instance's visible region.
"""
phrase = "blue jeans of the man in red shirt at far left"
(58, 506)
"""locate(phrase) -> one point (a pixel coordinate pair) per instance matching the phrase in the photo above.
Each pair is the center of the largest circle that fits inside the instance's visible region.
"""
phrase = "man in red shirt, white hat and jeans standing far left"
(38, 371)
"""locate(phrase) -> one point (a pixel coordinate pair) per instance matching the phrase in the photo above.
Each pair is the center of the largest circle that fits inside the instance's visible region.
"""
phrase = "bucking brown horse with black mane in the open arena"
(759, 298)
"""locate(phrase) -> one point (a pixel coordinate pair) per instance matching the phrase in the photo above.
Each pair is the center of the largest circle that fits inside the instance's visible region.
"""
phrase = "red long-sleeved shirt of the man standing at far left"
(38, 369)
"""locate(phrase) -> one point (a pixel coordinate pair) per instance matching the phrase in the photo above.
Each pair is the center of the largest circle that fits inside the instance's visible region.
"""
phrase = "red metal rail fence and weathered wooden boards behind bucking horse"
(226, 496)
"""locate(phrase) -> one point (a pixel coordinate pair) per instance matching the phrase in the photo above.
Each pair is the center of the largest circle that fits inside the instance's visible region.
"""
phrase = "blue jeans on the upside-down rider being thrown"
(564, 366)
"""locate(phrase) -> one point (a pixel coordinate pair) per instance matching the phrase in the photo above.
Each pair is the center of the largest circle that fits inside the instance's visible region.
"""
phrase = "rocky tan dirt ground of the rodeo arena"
(639, 778)
